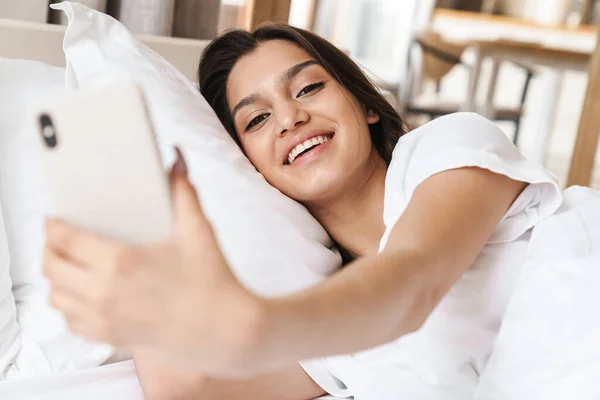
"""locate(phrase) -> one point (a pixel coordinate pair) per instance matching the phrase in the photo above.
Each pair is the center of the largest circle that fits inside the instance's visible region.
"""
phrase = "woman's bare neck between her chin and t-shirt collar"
(354, 219)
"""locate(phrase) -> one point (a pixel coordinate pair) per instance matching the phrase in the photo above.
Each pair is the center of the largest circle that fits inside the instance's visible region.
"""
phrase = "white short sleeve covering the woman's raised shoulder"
(466, 140)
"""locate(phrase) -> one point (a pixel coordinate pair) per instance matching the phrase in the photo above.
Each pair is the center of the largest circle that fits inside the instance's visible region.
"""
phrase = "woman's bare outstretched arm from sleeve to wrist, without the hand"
(374, 300)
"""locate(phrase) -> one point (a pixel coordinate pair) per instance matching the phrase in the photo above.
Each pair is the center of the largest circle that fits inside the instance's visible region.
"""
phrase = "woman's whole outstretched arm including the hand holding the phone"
(121, 293)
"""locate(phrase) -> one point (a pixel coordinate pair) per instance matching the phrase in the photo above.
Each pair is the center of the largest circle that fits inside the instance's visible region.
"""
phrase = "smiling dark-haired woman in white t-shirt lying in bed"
(448, 204)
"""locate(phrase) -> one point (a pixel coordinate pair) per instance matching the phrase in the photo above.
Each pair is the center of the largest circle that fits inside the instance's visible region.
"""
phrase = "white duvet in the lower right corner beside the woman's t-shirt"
(548, 347)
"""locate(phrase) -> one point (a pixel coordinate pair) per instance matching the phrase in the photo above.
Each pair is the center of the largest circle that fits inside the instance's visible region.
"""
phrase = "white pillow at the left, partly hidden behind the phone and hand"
(47, 346)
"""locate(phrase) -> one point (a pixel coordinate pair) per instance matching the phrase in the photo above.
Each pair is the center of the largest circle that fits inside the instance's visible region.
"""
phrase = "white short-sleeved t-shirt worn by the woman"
(444, 358)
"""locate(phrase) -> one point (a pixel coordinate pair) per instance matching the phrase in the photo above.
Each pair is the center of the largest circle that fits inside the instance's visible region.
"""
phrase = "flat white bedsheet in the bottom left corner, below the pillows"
(115, 382)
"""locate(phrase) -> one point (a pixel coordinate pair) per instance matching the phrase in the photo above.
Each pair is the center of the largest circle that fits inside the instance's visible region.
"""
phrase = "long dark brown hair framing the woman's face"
(221, 55)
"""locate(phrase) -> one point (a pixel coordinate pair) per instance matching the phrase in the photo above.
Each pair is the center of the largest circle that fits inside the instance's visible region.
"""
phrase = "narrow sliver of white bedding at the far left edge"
(9, 328)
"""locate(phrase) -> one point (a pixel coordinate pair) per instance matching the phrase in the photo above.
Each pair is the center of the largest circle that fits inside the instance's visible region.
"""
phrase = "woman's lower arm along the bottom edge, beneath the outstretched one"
(161, 381)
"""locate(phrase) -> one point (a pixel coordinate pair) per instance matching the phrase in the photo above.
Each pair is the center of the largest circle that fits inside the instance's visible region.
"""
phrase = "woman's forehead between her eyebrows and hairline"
(262, 67)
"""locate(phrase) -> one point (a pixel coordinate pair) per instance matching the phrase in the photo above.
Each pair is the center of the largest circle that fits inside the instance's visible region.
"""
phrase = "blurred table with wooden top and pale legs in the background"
(502, 38)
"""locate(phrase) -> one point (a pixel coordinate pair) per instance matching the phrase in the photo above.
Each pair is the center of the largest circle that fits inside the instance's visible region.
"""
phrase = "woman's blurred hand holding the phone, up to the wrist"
(179, 297)
